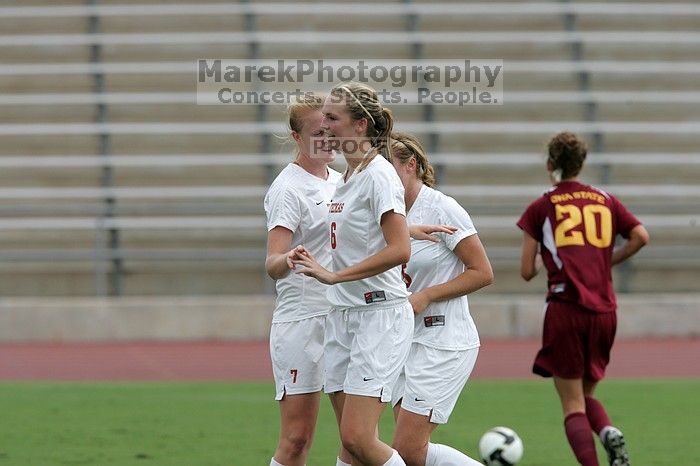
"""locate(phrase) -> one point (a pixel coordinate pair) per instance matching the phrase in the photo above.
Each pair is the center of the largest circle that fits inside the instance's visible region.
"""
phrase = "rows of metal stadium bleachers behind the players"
(114, 182)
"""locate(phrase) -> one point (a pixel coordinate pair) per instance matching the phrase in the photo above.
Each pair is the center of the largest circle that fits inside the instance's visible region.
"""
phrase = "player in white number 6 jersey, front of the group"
(369, 329)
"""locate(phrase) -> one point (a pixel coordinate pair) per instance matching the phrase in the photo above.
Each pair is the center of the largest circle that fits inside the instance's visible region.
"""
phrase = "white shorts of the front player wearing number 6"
(366, 349)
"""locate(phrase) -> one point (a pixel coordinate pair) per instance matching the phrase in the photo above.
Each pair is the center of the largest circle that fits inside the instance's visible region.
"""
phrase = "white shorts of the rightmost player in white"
(432, 381)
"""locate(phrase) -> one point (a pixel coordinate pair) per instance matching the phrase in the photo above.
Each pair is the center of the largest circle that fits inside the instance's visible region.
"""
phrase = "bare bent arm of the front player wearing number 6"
(397, 251)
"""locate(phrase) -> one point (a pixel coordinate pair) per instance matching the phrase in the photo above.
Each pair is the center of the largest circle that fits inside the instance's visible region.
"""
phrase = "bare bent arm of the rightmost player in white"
(477, 274)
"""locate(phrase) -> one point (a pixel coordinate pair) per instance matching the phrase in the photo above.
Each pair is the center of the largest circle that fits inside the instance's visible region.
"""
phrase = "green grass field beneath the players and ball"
(198, 424)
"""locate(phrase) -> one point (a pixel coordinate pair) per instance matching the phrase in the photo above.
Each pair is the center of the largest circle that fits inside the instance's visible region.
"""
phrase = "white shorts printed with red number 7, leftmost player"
(296, 350)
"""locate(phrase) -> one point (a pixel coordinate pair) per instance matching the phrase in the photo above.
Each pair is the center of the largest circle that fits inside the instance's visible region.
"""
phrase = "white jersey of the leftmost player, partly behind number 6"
(298, 201)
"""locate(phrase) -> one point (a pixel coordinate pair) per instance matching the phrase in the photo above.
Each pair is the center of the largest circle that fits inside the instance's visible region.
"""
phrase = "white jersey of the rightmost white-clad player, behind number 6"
(447, 324)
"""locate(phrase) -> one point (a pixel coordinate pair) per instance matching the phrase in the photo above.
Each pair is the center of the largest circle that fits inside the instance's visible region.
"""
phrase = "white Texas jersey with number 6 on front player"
(354, 218)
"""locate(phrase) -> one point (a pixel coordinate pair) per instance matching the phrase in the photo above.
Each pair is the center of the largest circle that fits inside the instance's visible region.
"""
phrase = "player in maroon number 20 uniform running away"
(575, 225)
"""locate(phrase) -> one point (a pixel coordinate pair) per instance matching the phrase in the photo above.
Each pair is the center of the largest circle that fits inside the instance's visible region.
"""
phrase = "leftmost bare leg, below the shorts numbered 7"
(298, 414)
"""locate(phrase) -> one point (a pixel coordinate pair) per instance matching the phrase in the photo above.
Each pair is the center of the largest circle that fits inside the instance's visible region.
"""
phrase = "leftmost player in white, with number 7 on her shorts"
(296, 206)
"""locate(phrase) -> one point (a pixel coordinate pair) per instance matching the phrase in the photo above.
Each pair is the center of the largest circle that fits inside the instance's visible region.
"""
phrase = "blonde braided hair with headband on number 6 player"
(362, 101)
